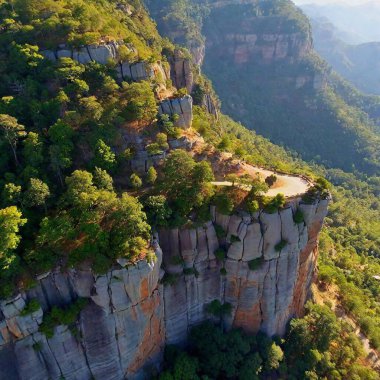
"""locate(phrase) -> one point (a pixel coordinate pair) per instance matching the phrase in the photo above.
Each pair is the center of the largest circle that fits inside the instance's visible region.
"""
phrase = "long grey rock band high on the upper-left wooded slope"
(109, 52)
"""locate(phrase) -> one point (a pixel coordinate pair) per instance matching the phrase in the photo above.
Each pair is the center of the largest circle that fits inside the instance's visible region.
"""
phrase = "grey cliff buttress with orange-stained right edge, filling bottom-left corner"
(119, 332)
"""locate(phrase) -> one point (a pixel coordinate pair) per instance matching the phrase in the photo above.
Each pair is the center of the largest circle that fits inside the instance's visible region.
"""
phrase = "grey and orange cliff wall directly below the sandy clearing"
(262, 299)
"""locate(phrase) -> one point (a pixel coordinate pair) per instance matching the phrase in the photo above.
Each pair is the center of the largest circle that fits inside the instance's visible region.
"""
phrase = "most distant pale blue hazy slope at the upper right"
(357, 63)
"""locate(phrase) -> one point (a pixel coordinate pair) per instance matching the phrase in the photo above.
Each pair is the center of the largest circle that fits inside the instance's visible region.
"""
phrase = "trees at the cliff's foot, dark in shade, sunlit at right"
(316, 346)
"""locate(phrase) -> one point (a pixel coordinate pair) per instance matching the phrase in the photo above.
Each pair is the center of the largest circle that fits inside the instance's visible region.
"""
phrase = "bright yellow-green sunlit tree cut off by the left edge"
(10, 222)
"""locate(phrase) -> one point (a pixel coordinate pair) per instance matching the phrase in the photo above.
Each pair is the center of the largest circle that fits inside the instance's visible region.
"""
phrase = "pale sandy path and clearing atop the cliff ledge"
(288, 185)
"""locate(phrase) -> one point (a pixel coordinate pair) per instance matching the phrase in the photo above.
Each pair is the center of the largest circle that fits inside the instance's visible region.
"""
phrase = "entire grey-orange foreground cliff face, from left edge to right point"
(131, 315)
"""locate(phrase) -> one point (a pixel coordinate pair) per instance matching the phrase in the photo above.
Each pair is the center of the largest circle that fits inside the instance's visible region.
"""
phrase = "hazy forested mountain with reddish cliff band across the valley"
(259, 57)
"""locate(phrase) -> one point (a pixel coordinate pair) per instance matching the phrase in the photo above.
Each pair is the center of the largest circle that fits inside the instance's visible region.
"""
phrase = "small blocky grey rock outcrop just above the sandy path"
(182, 107)
